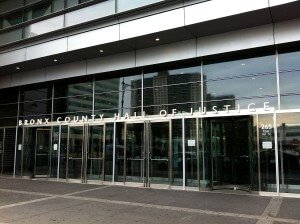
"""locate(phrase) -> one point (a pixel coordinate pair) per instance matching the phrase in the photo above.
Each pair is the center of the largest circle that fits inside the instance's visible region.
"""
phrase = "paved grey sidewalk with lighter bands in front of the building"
(29, 201)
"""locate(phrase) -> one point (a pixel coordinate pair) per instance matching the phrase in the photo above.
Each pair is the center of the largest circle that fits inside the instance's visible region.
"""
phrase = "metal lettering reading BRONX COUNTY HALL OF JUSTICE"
(251, 108)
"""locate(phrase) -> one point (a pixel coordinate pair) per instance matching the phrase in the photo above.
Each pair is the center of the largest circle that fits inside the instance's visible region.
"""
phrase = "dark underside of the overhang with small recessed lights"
(267, 15)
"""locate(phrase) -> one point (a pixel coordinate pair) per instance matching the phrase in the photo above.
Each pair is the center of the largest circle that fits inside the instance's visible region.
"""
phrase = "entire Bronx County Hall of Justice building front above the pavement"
(189, 94)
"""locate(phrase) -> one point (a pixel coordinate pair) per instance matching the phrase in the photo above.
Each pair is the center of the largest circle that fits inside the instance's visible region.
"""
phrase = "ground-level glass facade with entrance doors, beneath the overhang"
(206, 125)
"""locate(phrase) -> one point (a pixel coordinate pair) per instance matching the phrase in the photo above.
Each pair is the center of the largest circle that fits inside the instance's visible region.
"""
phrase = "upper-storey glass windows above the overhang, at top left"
(26, 15)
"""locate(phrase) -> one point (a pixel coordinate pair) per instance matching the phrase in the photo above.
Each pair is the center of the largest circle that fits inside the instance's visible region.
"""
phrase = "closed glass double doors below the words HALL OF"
(148, 153)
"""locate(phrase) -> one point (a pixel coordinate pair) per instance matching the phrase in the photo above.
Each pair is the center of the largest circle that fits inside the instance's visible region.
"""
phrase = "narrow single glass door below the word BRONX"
(42, 152)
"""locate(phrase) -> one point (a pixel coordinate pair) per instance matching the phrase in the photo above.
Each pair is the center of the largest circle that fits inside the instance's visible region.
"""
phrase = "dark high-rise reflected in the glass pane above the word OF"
(176, 91)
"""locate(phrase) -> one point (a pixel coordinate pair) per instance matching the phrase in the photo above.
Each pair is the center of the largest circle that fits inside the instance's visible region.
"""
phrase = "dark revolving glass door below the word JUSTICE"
(231, 153)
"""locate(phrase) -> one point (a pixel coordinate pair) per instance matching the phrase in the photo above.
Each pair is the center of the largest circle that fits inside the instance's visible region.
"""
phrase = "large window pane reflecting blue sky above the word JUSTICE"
(243, 81)
